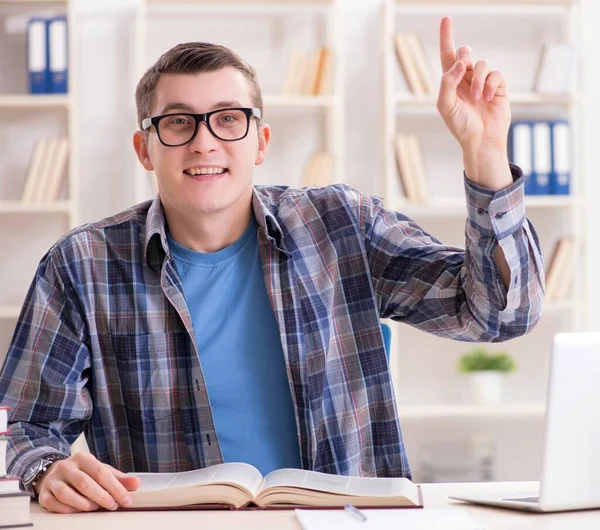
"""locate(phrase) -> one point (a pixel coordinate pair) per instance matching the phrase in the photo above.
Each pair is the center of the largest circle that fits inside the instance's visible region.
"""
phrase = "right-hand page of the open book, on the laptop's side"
(351, 486)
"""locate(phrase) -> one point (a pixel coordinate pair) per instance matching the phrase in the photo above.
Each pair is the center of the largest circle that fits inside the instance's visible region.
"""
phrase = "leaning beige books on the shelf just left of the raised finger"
(413, 63)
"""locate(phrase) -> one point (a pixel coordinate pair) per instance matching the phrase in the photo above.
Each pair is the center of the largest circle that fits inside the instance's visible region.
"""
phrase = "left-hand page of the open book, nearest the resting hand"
(241, 474)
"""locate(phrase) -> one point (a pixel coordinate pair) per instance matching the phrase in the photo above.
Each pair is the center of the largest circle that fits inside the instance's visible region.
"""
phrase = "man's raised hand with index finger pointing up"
(473, 101)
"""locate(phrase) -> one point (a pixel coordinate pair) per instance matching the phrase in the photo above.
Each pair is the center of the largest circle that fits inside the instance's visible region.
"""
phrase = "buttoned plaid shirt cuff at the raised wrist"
(497, 213)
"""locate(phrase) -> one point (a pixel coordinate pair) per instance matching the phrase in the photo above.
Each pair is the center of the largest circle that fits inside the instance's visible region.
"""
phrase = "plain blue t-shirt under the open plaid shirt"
(240, 351)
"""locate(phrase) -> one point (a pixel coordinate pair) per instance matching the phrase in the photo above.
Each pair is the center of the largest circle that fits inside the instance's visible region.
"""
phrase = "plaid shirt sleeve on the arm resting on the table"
(44, 376)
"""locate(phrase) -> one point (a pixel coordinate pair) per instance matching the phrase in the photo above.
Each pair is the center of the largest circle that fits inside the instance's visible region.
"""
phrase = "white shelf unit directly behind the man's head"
(263, 33)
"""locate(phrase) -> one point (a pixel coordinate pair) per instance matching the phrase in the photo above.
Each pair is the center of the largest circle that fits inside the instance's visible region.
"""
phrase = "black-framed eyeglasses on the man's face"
(180, 128)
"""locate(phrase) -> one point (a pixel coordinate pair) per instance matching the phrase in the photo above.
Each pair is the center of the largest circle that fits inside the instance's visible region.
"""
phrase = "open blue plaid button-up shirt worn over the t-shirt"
(105, 343)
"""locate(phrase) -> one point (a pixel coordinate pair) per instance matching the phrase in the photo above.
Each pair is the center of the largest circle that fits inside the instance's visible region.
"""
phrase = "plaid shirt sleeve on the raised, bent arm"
(454, 292)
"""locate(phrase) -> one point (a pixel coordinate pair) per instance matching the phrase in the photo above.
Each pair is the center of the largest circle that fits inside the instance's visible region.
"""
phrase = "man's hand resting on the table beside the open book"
(81, 483)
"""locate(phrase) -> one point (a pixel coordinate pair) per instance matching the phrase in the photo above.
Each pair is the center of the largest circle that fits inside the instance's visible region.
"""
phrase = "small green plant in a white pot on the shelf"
(487, 371)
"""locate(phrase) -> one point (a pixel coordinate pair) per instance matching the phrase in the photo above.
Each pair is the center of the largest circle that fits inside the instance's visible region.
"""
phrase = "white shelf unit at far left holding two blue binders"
(30, 229)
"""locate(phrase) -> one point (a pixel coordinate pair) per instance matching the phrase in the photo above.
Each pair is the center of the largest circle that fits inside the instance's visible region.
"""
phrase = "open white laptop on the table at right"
(571, 461)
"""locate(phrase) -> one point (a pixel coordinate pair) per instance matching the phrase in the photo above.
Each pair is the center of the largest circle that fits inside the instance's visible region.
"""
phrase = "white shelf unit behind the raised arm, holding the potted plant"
(510, 35)
